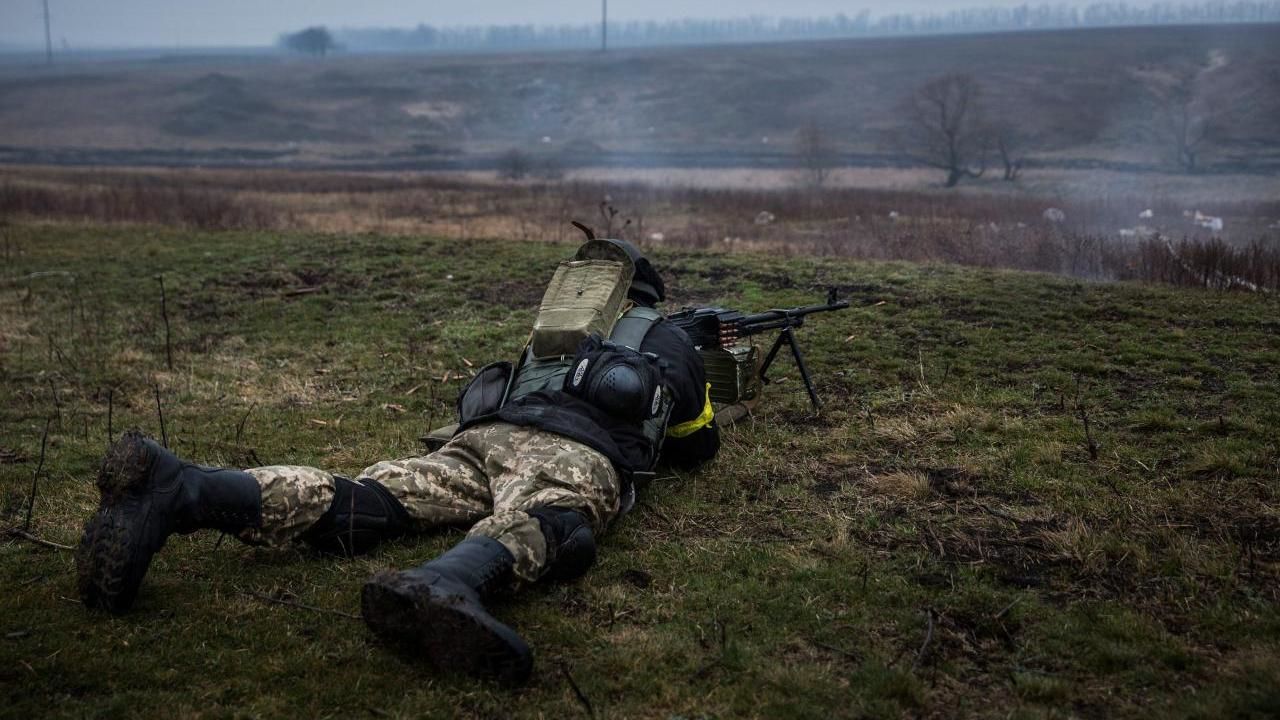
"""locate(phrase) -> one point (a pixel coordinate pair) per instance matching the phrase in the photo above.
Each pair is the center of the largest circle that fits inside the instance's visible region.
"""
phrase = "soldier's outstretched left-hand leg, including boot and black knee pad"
(148, 494)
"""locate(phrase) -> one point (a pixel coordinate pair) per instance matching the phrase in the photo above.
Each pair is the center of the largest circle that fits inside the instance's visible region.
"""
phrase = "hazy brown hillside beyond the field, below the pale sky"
(1076, 94)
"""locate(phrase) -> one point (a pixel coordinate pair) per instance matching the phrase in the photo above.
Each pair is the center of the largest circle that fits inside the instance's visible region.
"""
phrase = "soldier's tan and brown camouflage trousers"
(487, 477)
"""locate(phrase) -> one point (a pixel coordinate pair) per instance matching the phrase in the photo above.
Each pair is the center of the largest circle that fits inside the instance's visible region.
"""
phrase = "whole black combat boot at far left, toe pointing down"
(149, 494)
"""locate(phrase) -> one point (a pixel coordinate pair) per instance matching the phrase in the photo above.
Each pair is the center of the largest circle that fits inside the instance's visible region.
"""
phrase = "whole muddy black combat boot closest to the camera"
(437, 610)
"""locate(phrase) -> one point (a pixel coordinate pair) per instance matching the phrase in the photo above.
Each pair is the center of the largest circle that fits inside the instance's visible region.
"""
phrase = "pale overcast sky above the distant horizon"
(172, 24)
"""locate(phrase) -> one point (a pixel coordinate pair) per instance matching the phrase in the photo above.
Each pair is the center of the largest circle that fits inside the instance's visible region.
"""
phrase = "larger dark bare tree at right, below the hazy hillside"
(945, 127)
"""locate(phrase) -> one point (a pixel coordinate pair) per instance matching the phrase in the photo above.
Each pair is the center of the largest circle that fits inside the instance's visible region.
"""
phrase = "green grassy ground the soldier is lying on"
(949, 537)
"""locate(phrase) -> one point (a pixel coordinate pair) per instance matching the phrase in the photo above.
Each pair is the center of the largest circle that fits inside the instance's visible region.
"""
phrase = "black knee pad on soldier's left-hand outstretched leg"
(363, 514)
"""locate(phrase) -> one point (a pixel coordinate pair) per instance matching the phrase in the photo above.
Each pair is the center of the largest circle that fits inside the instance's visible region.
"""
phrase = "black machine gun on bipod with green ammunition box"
(719, 335)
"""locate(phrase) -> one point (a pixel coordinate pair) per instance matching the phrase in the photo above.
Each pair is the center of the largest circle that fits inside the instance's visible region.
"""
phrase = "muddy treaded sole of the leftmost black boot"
(106, 550)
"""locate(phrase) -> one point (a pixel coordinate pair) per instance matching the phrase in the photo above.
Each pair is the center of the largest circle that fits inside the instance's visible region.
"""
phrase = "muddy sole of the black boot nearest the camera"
(420, 621)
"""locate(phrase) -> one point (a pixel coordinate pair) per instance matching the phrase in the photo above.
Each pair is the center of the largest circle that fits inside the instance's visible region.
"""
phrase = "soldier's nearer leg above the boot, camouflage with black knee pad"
(552, 496)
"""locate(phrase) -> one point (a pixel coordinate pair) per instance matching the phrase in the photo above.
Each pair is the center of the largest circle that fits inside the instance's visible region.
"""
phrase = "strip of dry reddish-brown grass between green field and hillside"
(1099, 236)
